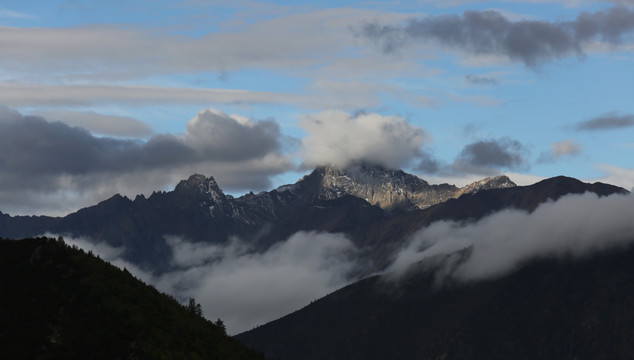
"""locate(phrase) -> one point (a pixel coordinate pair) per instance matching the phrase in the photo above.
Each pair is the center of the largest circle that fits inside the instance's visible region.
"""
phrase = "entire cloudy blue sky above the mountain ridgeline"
(117, 96)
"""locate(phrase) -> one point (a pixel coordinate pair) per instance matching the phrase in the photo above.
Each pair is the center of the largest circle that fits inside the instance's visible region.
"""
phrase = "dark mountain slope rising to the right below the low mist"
(550, 309)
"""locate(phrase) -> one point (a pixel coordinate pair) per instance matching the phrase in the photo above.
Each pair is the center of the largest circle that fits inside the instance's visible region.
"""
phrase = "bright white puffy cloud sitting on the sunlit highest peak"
(340, 139)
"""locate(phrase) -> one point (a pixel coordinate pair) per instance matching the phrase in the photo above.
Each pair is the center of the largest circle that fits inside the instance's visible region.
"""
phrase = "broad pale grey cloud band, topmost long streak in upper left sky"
(288, 42)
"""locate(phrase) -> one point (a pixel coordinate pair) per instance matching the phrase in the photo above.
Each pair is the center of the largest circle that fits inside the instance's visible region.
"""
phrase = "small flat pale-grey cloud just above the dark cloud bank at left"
(112, 125)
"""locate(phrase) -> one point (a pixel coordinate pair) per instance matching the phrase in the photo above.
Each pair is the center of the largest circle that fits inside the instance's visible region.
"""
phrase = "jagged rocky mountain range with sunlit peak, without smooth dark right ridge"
(328, 199)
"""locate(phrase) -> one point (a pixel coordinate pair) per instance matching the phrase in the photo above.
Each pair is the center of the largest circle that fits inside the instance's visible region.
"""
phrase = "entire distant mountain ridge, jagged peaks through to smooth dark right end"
(376, 208)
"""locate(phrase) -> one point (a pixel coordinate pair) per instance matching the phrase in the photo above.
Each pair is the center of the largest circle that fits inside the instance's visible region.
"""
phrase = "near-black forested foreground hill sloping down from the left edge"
(61, 303)
